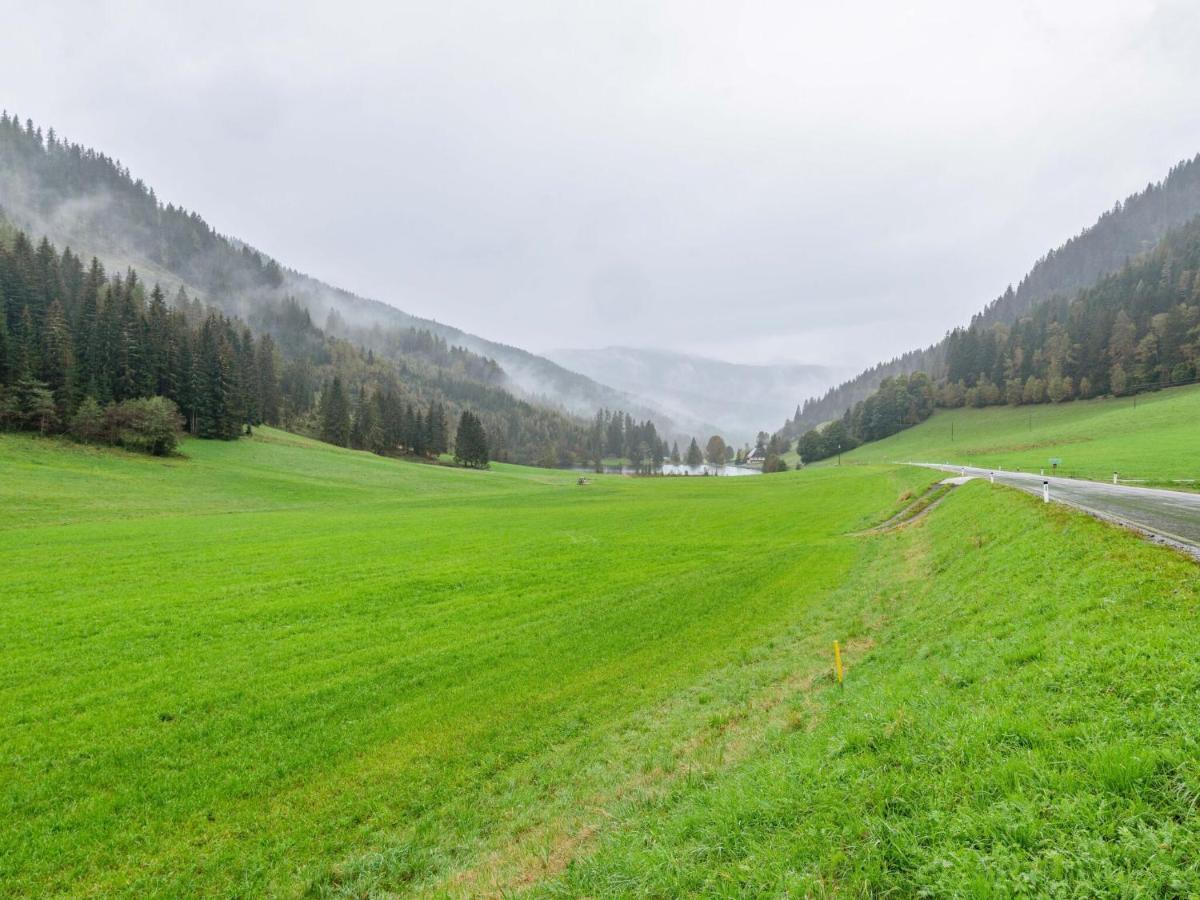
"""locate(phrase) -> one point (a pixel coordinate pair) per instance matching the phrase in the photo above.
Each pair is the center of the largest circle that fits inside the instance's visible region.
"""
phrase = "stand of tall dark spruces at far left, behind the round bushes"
(74, 337)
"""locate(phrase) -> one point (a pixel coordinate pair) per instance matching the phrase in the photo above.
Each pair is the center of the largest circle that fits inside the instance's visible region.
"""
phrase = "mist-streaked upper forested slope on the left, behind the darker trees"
(87, 201)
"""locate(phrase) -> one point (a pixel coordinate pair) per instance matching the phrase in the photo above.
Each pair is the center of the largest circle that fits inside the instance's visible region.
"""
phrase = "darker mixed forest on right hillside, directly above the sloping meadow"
(1138, 329)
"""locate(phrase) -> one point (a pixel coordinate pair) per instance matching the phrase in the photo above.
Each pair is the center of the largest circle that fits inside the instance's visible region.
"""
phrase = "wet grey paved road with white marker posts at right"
(1173, 515)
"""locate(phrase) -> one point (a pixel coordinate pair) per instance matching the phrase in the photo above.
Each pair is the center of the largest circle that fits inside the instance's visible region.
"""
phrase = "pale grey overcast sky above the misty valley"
(802, 182)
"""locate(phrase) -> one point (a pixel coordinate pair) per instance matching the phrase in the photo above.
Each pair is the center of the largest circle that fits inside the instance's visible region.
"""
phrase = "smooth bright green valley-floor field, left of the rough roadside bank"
(261, 668)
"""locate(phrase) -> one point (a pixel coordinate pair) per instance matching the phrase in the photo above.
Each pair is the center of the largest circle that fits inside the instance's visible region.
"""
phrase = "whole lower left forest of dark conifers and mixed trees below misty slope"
(81, 351)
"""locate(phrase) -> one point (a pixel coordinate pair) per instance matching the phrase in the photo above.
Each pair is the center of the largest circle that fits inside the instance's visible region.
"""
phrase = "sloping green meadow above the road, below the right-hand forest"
(1154, 439)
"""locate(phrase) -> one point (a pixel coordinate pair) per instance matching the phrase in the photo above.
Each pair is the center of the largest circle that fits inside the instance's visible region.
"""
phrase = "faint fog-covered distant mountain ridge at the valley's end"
(703, 395)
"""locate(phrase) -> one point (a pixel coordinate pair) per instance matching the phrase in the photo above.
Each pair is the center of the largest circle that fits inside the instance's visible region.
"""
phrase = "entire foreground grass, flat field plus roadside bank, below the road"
(277, 668)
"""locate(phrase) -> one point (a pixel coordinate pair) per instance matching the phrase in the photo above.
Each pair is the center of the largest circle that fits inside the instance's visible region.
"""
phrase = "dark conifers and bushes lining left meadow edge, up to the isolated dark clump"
(101, 358)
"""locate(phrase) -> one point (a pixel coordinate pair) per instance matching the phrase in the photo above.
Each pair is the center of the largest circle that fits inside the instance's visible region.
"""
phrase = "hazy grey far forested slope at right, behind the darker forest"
(1127, 231)
